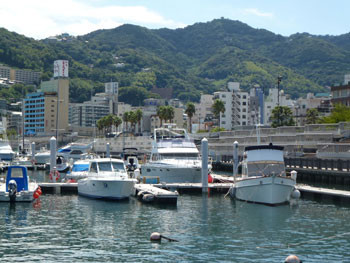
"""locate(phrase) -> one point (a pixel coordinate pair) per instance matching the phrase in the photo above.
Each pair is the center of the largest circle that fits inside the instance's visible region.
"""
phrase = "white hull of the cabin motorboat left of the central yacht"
(106, 188)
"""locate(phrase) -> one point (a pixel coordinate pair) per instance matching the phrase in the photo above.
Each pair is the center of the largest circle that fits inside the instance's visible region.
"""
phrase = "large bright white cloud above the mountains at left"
(40, 19)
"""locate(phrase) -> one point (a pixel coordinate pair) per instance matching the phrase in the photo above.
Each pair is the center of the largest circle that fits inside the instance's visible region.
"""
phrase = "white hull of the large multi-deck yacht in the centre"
(172, 174)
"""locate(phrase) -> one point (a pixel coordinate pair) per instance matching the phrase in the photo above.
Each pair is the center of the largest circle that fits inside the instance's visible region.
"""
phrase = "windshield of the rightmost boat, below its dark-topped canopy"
(265, 169)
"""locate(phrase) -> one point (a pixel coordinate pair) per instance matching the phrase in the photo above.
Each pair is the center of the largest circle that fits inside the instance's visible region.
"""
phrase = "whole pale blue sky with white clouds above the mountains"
(43, 18)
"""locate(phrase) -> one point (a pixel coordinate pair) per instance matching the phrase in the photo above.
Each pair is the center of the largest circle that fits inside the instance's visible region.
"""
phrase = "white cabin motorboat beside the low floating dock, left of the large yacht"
(107, 178)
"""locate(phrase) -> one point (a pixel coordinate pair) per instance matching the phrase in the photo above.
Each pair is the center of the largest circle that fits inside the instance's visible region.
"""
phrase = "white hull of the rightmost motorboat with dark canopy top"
(265, 190)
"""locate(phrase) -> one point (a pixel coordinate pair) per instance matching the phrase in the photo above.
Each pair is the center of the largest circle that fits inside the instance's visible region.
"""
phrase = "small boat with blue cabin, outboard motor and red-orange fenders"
(17, 187)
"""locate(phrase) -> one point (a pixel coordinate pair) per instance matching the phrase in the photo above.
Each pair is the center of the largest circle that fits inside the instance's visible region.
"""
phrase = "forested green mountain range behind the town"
(200, 58)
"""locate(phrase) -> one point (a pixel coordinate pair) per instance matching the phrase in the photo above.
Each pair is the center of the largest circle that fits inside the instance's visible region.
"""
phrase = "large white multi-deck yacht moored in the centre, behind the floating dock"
(174, 158)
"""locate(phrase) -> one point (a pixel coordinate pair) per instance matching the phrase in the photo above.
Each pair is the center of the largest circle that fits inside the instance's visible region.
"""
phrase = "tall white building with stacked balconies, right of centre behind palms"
(236, 106)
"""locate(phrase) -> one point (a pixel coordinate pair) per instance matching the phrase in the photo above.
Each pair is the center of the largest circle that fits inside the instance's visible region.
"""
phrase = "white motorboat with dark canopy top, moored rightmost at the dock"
(264, 179)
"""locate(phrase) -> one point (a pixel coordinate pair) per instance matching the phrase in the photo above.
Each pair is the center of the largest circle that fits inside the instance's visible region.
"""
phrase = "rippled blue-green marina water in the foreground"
(69, 228)
